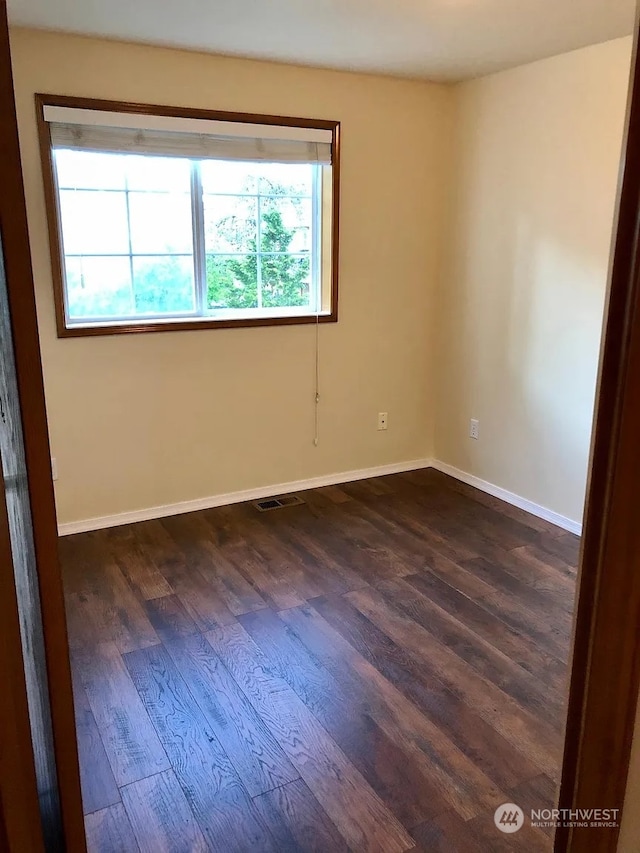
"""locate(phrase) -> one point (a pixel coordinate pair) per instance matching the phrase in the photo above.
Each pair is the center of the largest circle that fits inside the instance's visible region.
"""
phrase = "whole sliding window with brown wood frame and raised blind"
(161, 221)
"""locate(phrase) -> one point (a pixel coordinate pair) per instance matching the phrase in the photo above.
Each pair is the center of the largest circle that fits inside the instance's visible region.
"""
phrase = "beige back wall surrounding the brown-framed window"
(143, 420)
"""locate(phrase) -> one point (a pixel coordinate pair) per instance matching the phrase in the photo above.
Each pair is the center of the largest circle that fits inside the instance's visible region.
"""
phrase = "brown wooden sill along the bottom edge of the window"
(190, 324)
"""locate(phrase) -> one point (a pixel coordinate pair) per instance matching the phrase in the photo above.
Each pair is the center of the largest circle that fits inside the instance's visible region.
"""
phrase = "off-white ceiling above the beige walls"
(431, 39)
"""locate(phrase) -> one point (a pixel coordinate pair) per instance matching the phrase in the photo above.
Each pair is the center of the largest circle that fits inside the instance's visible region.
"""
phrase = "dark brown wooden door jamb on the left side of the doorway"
(17, 261)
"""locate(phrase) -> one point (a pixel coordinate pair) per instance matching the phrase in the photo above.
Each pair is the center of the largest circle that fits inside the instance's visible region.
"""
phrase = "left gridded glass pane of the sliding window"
(127, 234)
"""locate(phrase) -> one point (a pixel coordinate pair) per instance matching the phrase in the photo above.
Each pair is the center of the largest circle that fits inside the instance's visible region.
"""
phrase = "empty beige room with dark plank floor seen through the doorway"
(320, 292)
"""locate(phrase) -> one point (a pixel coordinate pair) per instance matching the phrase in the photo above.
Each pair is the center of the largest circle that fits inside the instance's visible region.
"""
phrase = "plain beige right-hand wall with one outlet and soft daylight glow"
(520, 311)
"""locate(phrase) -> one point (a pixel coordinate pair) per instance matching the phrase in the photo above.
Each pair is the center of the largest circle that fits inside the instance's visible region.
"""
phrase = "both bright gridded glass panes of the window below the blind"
(156, 236)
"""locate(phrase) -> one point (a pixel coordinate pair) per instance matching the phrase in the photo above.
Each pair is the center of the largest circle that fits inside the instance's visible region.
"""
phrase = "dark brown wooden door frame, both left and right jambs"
(602, 697)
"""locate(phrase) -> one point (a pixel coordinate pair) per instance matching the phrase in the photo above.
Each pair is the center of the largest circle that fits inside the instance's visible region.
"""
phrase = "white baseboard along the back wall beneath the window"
(238, 497)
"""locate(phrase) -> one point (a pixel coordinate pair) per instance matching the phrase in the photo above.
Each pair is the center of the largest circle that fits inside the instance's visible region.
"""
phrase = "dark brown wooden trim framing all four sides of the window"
(171, 324)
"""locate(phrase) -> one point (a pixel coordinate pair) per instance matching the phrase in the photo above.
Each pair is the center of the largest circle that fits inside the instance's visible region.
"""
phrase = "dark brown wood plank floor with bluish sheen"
(375, 670)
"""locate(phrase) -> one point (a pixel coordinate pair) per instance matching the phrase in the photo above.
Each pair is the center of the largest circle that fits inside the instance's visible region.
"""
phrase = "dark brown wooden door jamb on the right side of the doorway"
(606, 660)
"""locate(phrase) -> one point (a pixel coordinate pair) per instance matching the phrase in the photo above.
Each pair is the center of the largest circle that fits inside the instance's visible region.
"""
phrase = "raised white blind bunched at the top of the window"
(171, 136)
